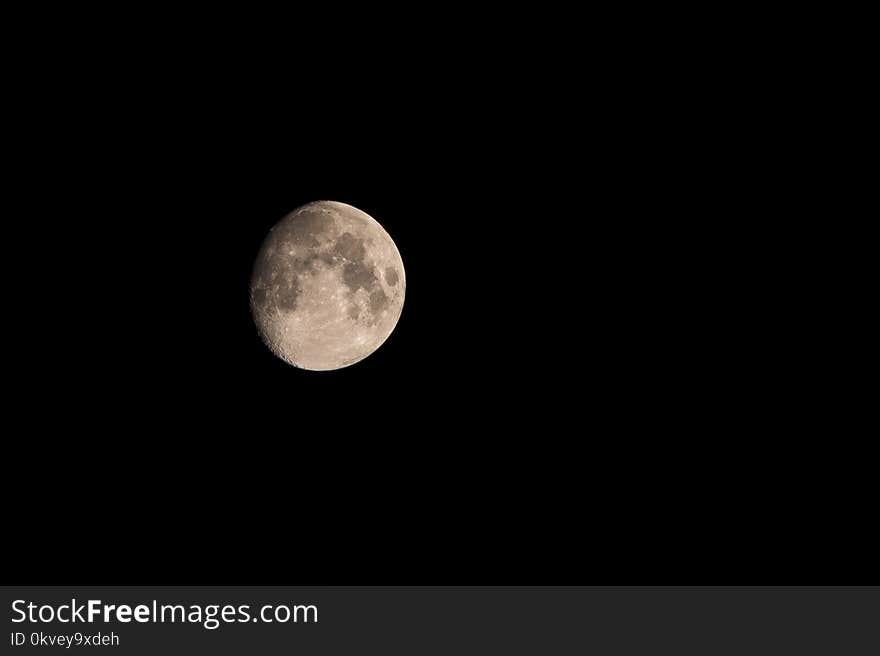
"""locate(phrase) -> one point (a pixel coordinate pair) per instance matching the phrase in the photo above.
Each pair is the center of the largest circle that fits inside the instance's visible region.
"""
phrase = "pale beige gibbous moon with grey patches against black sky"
(327, 287)
